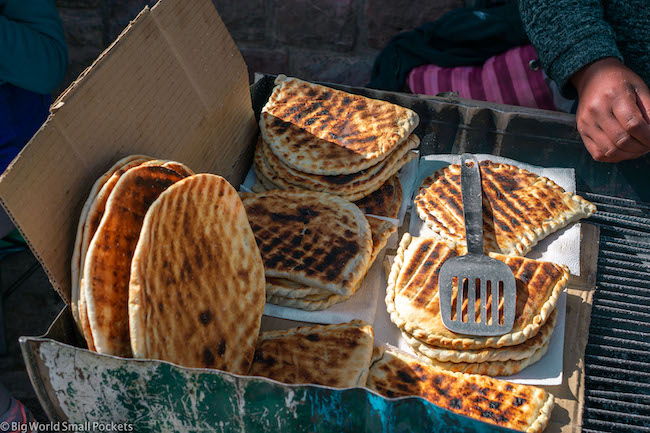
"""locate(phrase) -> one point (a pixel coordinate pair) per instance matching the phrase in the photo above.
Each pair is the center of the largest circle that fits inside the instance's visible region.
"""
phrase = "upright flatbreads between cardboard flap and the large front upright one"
(107, 232)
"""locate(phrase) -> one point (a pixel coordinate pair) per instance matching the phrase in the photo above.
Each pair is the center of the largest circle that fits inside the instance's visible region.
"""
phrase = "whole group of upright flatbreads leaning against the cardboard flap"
(165, 266)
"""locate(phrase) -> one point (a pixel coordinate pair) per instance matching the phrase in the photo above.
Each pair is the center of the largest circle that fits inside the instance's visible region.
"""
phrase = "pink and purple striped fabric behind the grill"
(505, 79)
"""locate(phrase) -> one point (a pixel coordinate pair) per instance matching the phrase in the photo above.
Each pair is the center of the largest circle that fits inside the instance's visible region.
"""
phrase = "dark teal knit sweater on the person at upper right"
(570, 34)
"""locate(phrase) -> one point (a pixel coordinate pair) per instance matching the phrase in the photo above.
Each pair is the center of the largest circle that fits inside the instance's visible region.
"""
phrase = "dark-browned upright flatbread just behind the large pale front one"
(108, 261)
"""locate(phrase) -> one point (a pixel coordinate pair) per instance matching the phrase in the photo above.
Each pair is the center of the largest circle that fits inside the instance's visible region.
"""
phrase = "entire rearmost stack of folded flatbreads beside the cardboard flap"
(325, 140)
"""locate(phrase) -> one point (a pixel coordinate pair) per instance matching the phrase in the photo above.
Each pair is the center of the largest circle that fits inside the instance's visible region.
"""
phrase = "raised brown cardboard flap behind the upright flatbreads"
(173, 86)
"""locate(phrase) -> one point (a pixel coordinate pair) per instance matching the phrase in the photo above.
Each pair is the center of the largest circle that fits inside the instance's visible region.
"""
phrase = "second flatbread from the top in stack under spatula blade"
(520, 352)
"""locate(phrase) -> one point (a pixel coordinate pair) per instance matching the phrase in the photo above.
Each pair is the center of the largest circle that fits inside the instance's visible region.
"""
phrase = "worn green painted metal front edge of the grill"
(79, 386)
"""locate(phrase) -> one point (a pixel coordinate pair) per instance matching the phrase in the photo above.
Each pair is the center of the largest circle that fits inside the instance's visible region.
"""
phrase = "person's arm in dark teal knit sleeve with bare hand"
(578, 50)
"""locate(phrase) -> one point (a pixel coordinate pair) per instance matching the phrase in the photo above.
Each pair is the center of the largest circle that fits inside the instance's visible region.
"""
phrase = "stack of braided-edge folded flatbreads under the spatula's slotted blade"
(413, 303)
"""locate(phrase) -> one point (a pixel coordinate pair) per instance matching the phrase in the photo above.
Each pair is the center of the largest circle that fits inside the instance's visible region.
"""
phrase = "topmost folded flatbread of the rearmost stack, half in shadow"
(367, 127)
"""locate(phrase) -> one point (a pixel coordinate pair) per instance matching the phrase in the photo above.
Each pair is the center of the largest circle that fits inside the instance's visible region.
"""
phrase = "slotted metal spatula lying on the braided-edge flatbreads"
(475, 277)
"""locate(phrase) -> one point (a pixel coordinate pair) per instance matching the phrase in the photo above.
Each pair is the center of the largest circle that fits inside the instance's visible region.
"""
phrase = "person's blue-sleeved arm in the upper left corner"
(33, 53)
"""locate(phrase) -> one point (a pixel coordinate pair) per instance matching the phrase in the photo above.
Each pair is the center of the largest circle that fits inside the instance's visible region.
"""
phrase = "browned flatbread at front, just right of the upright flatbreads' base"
(329, 355)
